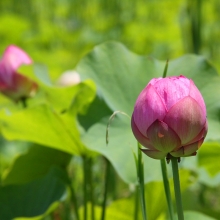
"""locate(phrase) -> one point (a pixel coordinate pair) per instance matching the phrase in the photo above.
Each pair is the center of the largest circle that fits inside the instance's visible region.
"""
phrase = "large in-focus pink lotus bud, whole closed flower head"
(169, 118)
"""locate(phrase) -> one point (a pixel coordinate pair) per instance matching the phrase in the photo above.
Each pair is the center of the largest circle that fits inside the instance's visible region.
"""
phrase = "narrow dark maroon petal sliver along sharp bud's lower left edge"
(144, 141)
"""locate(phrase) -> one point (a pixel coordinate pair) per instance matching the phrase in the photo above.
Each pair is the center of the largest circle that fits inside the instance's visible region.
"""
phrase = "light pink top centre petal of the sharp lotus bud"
(172, 89)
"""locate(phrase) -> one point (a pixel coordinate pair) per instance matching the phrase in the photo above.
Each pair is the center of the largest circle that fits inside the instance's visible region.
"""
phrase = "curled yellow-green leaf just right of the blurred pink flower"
(58, 96)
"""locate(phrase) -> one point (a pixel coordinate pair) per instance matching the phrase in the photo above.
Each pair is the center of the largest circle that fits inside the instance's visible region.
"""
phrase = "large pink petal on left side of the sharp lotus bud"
(148, 108)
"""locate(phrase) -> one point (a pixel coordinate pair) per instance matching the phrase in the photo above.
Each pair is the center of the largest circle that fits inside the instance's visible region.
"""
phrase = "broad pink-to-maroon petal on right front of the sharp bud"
(186, 118)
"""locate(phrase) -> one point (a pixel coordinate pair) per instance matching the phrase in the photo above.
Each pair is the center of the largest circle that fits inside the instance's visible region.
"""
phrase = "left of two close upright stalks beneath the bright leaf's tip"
(85, 191)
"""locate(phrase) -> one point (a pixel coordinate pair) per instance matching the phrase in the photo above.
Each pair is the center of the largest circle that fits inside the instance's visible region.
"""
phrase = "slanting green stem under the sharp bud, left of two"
(167, 188)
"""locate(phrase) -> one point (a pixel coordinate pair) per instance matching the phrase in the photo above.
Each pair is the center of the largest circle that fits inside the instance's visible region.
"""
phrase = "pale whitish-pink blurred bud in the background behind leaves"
(69, 78)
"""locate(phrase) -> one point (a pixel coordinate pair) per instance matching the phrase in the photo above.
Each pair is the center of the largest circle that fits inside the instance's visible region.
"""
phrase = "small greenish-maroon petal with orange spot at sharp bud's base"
(162, 137)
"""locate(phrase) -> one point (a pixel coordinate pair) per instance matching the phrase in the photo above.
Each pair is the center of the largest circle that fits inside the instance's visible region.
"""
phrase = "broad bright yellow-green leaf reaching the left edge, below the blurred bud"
(41, 125)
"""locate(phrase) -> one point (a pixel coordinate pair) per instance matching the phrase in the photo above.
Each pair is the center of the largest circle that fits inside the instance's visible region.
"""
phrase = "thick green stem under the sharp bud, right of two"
(177, 188)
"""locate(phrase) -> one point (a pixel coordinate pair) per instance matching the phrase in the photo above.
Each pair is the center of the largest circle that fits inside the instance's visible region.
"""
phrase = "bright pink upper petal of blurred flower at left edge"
(13, 57)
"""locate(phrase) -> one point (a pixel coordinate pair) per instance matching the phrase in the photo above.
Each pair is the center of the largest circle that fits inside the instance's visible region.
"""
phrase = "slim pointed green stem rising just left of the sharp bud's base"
(140, 174)
